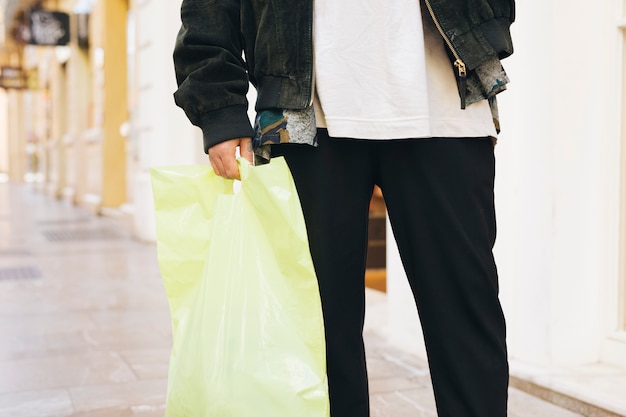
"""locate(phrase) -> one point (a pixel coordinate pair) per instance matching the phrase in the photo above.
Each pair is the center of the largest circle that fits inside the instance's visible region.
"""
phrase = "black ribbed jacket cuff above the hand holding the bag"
(225, 124)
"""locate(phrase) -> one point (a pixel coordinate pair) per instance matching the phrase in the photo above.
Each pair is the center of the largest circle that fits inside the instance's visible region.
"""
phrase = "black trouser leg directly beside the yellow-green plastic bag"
(334, 183)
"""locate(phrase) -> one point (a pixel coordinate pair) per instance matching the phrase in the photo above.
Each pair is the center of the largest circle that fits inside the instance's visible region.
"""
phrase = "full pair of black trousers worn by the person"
(439, 197)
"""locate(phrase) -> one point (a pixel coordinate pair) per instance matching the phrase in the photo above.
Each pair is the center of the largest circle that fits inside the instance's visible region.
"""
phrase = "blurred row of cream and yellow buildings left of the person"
(99, 112)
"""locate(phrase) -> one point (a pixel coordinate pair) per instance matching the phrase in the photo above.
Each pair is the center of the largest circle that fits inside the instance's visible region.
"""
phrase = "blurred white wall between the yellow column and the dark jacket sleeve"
(160, 134)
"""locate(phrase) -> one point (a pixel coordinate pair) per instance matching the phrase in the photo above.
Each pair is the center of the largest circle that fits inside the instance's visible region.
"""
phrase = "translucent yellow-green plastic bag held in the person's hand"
(248, 337)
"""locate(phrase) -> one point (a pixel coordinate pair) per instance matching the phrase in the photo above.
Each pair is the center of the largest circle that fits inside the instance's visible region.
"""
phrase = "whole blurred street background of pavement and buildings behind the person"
(86, 109)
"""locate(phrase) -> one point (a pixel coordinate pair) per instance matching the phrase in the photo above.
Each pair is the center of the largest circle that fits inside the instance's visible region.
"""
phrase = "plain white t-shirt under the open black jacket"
(382, 72)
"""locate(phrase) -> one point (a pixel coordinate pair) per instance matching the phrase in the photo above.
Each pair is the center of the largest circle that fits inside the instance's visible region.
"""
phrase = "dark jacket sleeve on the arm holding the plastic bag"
(210, 71)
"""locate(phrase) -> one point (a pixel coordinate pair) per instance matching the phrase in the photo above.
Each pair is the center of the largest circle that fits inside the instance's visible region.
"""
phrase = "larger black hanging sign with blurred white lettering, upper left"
(47, 27)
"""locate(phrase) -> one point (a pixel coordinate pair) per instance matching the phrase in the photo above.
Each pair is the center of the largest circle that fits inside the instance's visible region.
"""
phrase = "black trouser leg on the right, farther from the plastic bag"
(439, 195)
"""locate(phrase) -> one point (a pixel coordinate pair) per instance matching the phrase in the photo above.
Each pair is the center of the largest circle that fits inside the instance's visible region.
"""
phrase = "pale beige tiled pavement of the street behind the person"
(84, 324)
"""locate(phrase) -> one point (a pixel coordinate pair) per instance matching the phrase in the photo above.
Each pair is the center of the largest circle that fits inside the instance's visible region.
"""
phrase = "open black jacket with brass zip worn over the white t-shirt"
(275, 37)
